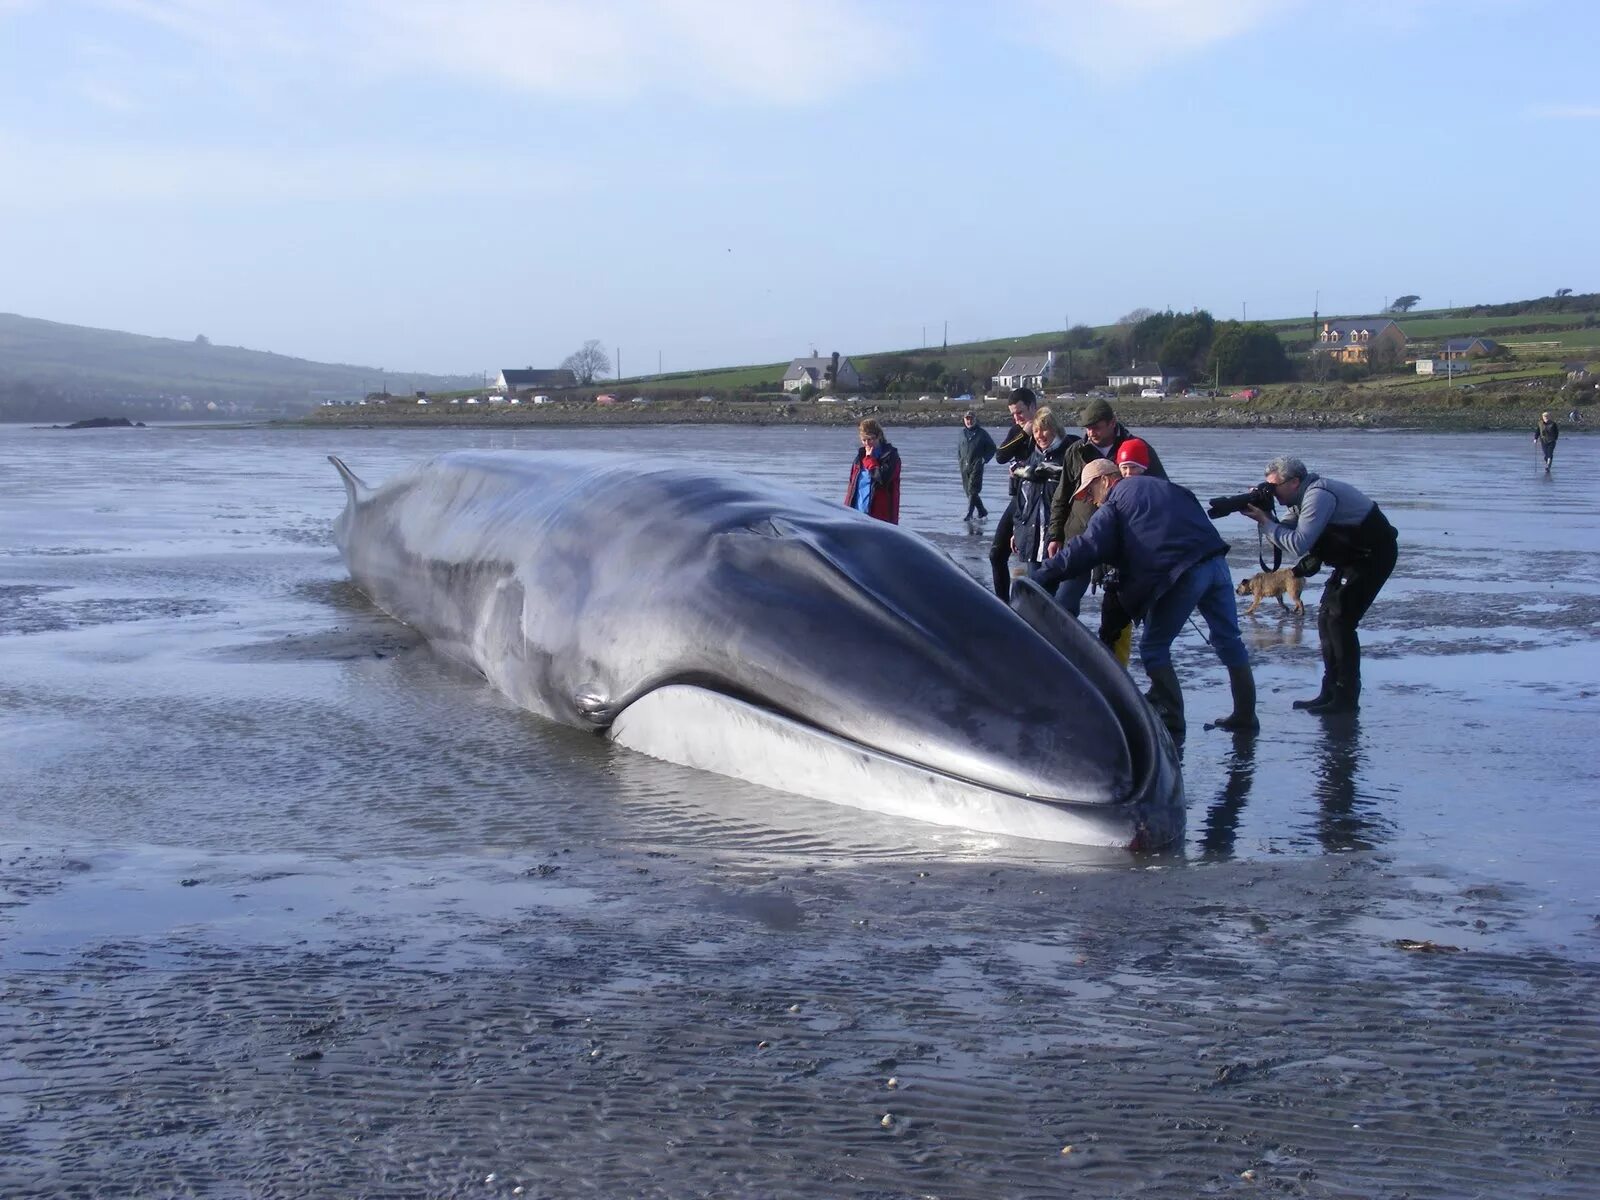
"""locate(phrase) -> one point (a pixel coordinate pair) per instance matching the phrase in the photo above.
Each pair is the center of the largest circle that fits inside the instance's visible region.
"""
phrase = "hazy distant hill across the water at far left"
(52, 370)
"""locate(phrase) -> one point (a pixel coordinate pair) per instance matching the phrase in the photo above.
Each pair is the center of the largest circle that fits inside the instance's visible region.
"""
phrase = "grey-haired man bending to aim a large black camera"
(1345, 529)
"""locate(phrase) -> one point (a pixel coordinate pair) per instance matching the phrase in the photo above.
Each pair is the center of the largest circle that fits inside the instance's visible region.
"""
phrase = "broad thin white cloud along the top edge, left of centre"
(562, 49)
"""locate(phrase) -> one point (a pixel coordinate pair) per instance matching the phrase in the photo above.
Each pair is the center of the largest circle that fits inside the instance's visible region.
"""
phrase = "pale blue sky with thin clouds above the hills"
(460, 186)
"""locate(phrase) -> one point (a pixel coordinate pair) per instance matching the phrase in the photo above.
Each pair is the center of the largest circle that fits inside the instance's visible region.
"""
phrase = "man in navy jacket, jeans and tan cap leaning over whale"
(1172, 562)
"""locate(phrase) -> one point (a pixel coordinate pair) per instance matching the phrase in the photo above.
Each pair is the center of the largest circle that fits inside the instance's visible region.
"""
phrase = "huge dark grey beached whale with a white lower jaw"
(719, 622)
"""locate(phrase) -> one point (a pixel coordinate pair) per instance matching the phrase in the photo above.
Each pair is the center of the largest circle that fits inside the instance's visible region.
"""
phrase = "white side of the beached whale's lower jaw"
(713, 732)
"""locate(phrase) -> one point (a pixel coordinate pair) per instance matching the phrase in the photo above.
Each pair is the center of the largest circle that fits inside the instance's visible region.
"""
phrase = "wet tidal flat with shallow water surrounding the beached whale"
(241, 806)
